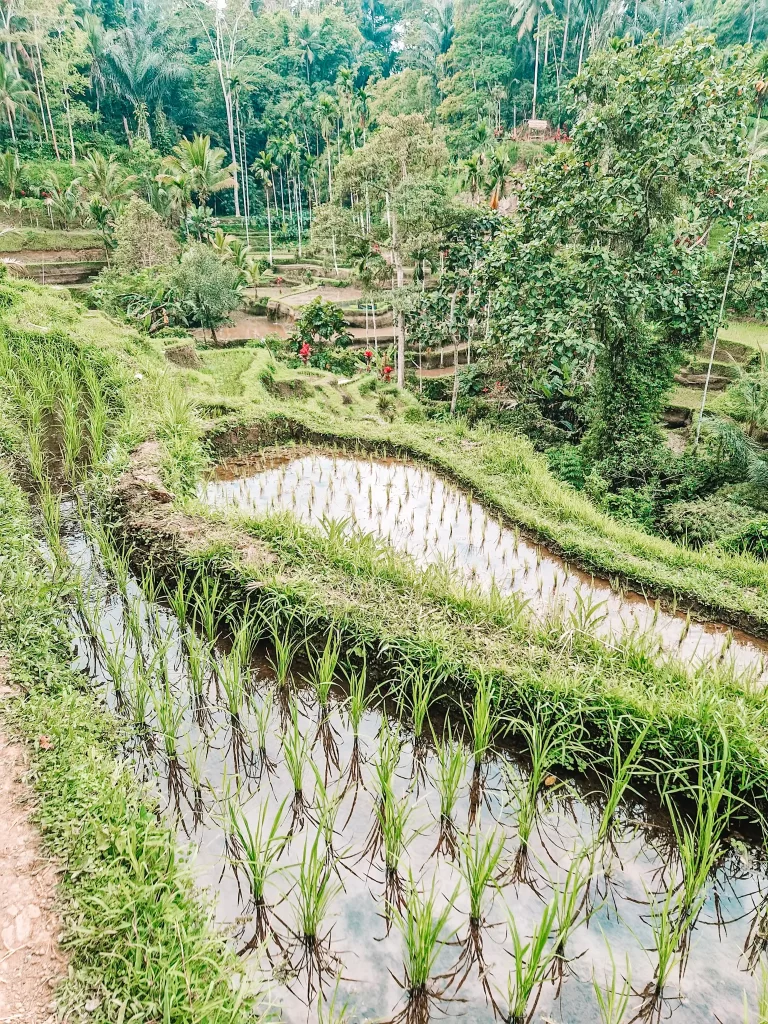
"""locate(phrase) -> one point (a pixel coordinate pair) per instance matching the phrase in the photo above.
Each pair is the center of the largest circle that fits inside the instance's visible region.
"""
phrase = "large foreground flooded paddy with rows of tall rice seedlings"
(352, 855)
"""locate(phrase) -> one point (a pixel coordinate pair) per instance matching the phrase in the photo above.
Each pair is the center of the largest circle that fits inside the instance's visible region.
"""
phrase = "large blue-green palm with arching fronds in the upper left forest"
(141, 70)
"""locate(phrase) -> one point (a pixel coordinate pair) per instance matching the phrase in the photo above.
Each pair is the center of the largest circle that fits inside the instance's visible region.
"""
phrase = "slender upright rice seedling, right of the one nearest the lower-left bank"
(317, 888)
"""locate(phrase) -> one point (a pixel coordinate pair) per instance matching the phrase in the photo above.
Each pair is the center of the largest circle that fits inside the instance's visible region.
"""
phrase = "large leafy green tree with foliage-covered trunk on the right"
(607, 263)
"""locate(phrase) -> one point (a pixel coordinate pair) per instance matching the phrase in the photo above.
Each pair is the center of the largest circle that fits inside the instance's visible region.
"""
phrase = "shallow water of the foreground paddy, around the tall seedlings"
(217, 762)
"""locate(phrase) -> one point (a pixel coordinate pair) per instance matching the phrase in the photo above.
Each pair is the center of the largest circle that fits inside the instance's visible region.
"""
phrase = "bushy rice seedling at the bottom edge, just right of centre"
(422, 927)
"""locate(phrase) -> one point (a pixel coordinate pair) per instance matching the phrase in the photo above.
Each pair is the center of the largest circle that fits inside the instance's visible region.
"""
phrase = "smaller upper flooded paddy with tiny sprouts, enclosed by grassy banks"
(433, 521)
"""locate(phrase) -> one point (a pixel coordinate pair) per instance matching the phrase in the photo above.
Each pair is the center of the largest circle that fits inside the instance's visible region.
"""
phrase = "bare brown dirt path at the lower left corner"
(31, 962)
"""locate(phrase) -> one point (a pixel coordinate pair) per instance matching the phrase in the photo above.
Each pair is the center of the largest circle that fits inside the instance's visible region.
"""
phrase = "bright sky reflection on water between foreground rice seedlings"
(713, 983)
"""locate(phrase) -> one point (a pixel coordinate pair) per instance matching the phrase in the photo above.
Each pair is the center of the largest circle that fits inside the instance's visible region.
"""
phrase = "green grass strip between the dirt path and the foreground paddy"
(141, 943)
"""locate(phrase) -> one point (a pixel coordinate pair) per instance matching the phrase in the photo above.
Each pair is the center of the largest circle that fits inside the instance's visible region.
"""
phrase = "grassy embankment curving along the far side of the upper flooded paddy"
(245, 387)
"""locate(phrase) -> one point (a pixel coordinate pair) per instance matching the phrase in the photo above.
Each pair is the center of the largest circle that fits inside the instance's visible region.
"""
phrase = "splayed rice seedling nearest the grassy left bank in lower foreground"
(260, 845)
